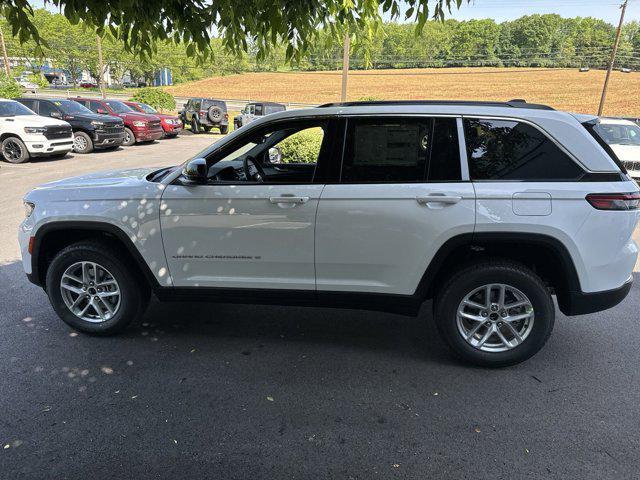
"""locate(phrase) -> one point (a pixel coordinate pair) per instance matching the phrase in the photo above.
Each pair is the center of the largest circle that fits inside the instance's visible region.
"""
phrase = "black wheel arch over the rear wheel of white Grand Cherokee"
(544, 254)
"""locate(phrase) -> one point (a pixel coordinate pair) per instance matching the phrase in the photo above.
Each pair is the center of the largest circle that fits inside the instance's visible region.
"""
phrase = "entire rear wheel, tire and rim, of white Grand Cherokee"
(495, 314)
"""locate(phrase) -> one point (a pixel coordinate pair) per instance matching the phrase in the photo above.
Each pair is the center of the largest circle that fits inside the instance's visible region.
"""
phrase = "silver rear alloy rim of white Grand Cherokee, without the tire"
(495, 317)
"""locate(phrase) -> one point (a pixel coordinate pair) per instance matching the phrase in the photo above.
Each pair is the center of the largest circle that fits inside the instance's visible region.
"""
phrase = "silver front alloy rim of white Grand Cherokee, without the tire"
(90, 292)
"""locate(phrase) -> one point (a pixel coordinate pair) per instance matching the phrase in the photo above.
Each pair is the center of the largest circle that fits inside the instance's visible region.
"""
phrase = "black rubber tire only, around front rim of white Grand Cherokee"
(133, 299)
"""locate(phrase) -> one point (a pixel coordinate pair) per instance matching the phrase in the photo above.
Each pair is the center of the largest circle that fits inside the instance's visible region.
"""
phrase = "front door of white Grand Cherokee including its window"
(253, 224)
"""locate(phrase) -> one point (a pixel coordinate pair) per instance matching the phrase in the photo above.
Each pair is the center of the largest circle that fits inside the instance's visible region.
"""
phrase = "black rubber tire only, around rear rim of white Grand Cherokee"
(477, 275)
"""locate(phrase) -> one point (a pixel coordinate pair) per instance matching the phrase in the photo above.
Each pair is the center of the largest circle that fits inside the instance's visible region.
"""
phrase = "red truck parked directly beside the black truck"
(138, 127)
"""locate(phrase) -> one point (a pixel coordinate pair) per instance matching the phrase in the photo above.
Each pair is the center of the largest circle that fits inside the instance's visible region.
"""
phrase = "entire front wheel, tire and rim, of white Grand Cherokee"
(93, 291)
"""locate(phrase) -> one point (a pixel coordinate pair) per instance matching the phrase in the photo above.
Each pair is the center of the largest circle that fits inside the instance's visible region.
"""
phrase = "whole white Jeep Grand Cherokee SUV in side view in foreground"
(489, 209)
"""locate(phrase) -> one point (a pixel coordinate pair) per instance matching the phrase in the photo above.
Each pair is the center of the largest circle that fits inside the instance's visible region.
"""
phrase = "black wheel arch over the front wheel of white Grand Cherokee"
(53, 237)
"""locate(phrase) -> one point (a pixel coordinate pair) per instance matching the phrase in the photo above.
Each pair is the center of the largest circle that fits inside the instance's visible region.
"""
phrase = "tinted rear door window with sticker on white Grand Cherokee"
(401, 150)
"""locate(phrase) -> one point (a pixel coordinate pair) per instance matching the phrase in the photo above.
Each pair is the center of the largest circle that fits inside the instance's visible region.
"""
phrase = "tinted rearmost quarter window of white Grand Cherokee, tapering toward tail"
(512, 150)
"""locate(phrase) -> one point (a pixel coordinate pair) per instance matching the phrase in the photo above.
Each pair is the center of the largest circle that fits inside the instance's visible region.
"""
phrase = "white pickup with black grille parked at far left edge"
(23, 134)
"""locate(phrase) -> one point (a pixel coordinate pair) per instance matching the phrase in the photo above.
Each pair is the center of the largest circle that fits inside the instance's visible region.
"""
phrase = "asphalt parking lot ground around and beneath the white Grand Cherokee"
(252, 392)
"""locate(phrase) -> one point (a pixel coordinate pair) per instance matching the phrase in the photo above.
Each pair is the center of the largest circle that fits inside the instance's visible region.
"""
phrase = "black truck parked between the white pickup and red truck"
(90, 130)
